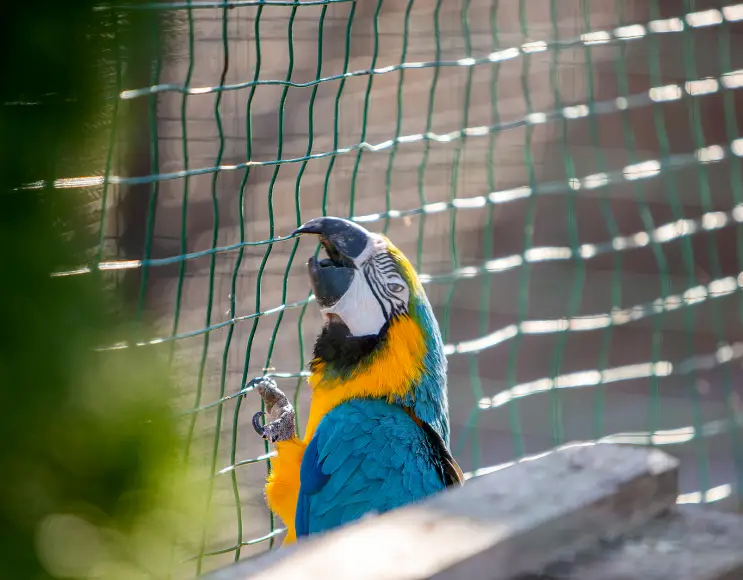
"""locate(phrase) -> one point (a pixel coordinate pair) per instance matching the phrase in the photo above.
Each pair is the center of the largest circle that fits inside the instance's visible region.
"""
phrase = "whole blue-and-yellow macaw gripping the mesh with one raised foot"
(377, 436)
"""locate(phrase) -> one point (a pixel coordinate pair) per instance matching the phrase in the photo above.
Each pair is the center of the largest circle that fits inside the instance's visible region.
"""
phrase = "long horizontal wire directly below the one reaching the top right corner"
(732, 80)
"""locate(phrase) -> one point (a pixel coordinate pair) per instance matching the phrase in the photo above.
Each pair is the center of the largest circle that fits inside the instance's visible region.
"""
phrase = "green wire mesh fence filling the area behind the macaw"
(566, 176)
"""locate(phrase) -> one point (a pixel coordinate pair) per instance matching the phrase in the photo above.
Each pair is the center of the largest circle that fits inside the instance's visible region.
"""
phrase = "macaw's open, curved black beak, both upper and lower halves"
(343, 241)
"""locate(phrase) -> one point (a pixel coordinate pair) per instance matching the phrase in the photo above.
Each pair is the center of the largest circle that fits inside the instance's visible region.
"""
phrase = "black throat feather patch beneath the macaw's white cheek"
(343, 353)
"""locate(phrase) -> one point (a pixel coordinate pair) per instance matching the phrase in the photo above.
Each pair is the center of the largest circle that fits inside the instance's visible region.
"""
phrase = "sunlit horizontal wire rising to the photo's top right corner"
(621, 34)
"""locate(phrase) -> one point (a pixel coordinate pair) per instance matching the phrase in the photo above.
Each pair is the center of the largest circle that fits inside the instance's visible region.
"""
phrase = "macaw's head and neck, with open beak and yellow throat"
(380, 337)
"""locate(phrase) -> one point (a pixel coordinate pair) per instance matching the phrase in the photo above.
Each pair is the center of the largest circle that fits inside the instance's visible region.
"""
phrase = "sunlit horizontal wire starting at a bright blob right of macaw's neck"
(591, 378)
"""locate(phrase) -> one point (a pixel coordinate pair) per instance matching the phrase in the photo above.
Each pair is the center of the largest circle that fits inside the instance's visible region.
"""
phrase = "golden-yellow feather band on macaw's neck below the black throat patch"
(395, 367)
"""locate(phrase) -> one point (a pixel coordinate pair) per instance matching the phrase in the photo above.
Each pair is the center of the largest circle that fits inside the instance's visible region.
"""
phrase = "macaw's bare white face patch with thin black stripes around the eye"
(377, 291)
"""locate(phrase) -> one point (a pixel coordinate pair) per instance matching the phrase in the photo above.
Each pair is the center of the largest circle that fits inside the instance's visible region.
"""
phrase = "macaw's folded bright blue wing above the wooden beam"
(367, 455)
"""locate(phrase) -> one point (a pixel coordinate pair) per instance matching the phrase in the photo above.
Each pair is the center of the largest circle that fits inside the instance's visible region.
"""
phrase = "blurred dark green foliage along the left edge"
(90, 479)
